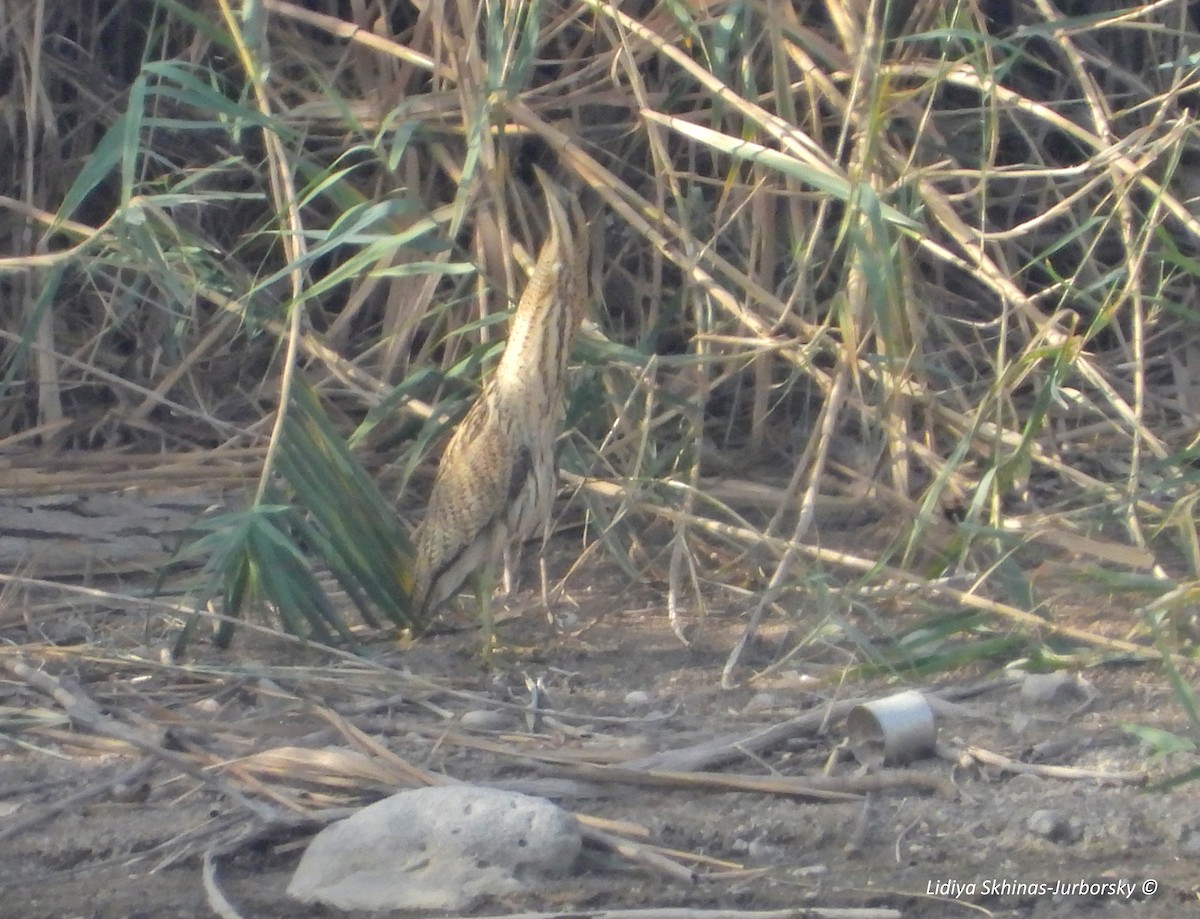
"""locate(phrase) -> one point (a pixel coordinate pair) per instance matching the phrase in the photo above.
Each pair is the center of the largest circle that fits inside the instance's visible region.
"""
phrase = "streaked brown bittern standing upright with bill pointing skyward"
(496, 482)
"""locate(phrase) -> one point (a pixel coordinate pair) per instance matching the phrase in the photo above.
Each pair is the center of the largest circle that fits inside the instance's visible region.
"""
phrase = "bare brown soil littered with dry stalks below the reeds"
(95, 828)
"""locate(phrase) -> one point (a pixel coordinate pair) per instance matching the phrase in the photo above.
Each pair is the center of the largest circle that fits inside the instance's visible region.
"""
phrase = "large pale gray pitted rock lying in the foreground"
(437, 849)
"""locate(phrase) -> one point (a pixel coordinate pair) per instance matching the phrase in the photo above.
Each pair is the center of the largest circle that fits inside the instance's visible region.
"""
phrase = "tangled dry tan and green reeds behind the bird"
(937, 266)
